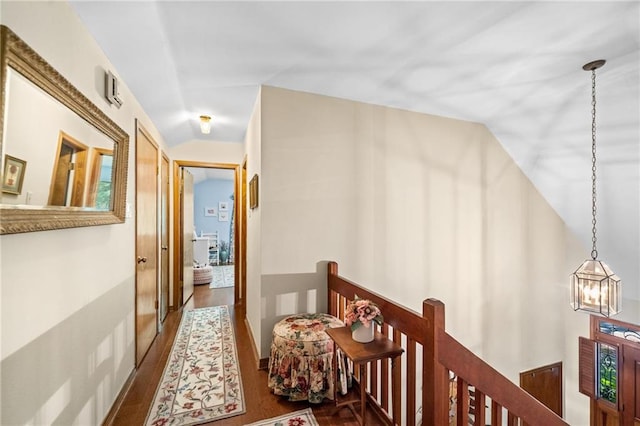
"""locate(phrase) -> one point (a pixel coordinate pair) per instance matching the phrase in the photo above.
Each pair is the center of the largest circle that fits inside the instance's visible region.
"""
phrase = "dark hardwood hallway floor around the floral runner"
(260, 402)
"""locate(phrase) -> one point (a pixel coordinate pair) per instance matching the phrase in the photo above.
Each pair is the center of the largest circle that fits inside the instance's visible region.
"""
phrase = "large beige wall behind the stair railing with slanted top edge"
(416, 206)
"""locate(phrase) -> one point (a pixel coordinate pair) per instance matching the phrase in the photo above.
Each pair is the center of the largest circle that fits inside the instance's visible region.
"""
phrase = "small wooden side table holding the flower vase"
(361, 354)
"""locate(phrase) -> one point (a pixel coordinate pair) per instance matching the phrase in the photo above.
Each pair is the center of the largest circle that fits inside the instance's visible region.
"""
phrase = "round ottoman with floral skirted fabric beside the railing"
(300, 363)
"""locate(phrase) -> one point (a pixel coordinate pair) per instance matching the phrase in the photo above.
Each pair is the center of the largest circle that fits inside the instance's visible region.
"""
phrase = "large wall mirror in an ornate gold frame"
(64, 161)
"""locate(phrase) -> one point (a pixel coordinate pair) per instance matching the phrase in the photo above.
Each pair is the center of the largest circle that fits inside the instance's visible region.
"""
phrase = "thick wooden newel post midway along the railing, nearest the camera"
(435, 380)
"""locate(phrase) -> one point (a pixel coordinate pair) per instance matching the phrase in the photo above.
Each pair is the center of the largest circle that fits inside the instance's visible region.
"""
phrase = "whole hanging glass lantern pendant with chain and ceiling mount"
(594, 286)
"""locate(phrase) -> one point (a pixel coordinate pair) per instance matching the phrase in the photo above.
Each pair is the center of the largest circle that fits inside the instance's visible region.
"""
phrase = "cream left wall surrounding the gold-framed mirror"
(67, 296)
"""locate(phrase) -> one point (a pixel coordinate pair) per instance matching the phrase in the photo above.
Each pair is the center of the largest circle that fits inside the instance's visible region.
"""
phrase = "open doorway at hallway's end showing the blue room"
(214, 220)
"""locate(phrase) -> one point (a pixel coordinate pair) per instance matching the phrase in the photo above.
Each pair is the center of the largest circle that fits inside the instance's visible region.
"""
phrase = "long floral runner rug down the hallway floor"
(201, 381)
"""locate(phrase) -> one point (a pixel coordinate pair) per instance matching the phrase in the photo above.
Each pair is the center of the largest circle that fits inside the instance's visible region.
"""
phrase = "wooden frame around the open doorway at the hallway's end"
(177, 218)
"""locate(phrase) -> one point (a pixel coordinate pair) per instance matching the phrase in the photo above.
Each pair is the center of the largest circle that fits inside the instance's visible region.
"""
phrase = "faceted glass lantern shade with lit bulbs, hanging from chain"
(595, 288)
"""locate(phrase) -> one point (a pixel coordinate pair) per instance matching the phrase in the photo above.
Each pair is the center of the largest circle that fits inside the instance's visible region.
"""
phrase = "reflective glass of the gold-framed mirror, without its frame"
(70, 167)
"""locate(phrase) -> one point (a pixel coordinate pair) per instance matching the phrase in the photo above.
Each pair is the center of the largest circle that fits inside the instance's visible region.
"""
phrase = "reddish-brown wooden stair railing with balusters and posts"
(480, 394)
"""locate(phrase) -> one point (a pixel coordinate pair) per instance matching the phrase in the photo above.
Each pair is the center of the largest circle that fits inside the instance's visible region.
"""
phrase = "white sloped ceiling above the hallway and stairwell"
(514, 66)
